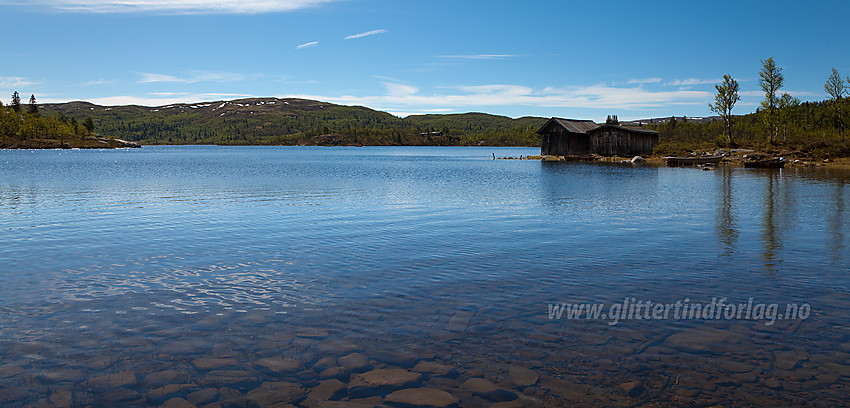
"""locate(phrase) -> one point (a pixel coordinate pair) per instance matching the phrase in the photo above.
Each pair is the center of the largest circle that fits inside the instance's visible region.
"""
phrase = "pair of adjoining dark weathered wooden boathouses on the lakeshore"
(571, 137)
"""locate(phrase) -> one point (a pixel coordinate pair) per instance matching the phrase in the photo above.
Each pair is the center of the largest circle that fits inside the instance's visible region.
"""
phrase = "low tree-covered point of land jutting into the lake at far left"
(29, 129)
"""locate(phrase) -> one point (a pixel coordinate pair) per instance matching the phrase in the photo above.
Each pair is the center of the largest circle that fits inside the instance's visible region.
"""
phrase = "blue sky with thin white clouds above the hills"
(584, 59)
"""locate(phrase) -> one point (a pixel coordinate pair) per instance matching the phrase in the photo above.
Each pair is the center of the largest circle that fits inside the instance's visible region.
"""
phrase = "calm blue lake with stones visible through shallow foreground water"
(362, 276)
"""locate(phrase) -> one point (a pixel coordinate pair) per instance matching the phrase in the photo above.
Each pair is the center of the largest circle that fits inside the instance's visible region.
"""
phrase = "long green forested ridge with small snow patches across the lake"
(292, 121)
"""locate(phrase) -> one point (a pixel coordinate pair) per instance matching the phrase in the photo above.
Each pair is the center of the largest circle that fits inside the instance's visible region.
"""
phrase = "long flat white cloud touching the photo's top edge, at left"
(176, 6)
